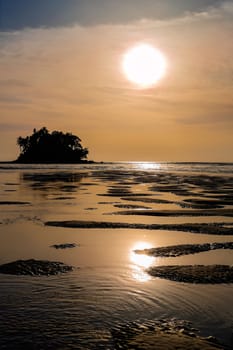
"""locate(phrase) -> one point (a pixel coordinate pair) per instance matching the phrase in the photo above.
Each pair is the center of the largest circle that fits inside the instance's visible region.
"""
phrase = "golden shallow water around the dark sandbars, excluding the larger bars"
(110, 285)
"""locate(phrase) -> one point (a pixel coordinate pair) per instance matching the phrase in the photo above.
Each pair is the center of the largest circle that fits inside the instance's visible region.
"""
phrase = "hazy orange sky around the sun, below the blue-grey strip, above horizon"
(70, 79)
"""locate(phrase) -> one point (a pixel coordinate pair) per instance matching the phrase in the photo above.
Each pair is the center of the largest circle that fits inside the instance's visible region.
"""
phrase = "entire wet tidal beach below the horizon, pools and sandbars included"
(114, 226)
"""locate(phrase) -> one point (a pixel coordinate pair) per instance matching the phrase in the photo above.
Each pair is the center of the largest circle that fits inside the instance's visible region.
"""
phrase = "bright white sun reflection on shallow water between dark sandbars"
(140, 262)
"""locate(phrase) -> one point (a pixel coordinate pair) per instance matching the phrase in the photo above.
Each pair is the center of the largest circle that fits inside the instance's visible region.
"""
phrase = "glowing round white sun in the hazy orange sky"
(144, 65)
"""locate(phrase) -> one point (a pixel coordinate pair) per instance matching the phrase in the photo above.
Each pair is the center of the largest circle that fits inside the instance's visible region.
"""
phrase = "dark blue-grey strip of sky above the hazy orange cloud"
(17, 15)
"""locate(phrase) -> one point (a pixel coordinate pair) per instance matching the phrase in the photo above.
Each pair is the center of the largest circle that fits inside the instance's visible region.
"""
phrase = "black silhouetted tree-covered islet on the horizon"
(54, 147)
